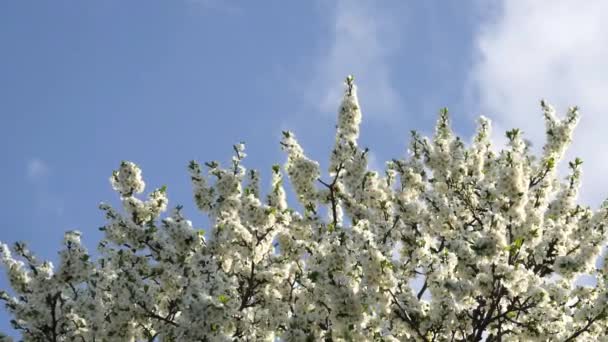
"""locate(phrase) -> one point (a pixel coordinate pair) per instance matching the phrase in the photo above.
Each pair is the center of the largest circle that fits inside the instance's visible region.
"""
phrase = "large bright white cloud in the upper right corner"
(553, 50)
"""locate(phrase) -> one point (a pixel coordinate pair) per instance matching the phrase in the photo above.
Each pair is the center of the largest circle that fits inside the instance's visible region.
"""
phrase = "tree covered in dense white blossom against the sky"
(451, 243)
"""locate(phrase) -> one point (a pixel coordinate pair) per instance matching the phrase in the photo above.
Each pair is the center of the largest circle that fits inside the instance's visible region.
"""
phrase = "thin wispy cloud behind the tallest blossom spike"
(363, 37)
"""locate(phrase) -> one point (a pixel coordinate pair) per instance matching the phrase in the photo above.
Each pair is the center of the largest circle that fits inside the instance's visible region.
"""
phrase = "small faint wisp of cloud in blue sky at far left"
(38, 173)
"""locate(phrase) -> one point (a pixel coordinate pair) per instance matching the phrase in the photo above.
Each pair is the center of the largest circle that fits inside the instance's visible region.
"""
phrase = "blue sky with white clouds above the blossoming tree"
(86, 84)
